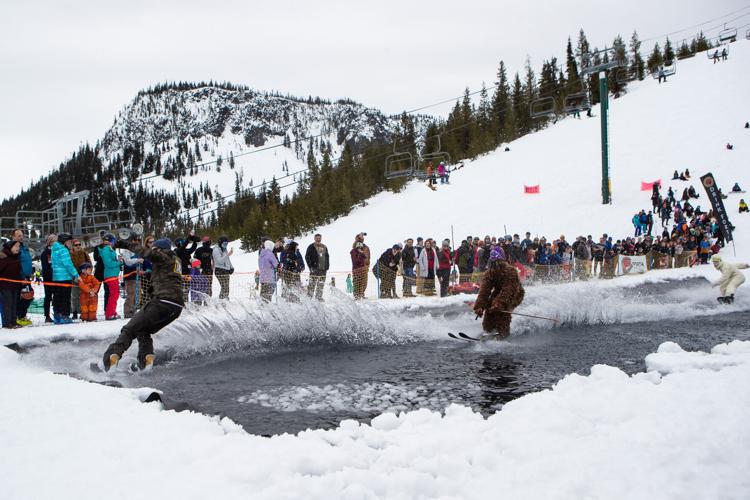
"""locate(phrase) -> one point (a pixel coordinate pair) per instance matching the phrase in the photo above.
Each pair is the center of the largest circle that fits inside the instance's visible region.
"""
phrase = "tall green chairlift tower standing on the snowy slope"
(600, 62)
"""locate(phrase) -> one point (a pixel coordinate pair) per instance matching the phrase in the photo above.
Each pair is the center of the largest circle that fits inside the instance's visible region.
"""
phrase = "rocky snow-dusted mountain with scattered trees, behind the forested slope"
(172, 149)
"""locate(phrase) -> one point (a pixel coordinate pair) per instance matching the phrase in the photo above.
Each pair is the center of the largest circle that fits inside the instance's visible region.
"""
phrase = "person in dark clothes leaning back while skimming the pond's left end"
(164, 306)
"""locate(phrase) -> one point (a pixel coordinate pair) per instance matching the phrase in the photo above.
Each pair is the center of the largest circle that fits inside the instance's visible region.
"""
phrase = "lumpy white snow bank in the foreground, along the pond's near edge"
(679, 432)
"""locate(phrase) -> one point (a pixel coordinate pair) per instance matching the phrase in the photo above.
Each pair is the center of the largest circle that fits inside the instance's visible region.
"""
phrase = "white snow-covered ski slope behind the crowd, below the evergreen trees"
(654, 130)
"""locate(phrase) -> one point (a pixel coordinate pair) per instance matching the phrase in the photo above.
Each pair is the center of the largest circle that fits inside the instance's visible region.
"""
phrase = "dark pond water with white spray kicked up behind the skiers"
(345, 361)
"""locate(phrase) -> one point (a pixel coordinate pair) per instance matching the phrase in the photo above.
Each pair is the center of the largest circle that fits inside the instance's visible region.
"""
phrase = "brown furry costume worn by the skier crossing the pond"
(501, 291)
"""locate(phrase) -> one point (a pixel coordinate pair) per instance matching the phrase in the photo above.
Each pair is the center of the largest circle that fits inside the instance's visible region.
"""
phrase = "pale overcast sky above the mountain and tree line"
(69, 66)
